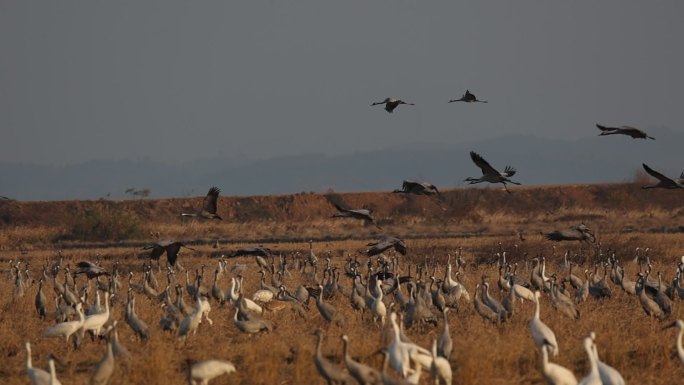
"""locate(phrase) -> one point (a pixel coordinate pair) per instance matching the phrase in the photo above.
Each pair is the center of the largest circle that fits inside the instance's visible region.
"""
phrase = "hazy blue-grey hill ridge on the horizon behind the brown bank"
(539, 161)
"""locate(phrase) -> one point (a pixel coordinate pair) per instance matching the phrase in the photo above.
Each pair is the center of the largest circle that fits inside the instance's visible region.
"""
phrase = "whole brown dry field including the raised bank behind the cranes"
(479, 221)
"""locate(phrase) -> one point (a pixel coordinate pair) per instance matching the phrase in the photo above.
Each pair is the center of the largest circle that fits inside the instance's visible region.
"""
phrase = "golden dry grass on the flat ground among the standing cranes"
(483, 353)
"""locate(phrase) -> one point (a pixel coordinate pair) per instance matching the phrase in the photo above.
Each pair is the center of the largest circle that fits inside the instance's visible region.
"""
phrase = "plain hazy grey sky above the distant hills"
(179, 80)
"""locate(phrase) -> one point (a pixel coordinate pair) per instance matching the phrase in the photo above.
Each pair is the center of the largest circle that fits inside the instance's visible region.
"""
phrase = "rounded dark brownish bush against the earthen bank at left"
(102, 222)
